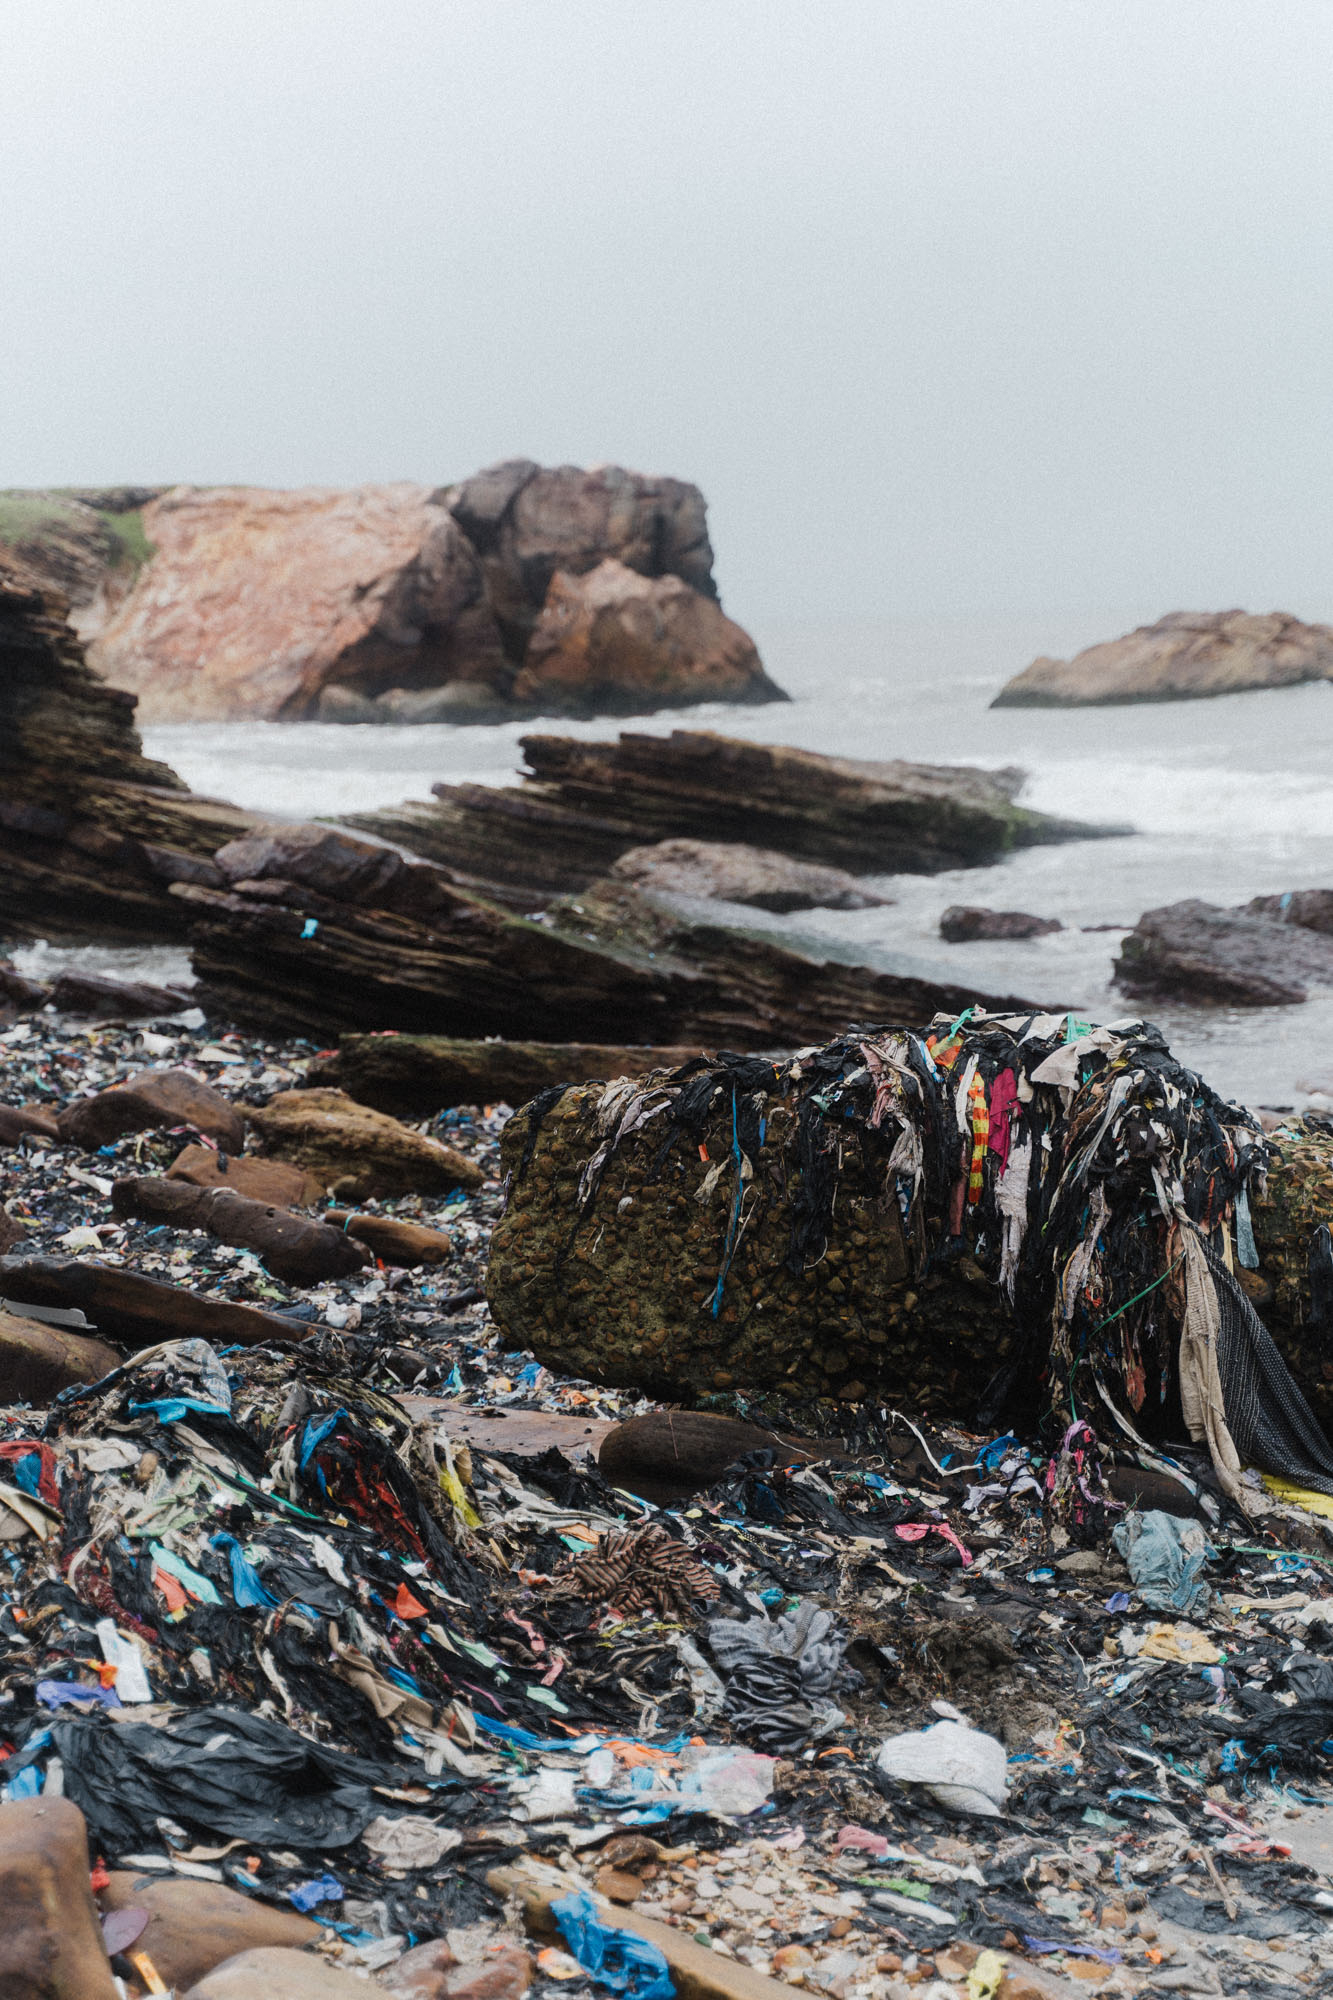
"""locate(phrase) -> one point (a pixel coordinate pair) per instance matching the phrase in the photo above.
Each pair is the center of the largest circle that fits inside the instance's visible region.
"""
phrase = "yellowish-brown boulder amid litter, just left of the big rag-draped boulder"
(357, 1151)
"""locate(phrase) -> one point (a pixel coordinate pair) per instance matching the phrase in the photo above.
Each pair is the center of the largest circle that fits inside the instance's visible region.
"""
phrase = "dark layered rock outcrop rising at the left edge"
(93, 833)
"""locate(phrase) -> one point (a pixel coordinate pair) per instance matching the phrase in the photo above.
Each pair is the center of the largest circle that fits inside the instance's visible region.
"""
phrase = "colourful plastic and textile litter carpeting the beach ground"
(337, 1663)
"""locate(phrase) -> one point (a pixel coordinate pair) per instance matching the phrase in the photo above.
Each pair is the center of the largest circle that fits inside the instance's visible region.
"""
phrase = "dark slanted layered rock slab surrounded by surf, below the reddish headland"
(583, 805)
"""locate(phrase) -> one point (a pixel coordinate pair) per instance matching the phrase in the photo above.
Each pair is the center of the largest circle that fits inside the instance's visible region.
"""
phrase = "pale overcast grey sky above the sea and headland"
(988, 307)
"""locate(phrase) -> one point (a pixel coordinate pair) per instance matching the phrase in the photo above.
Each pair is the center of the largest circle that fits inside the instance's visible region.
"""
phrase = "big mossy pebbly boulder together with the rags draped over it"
(1022, 1217)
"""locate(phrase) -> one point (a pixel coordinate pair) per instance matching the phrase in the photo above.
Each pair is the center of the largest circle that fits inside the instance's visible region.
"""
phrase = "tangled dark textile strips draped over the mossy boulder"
(1100, 1185)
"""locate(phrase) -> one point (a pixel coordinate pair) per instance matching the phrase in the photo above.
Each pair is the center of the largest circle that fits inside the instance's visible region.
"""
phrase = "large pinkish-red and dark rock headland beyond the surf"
(369, 603)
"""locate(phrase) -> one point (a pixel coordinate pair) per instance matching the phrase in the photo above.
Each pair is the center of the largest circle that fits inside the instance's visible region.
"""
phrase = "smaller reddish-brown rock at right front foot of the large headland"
(617, 643)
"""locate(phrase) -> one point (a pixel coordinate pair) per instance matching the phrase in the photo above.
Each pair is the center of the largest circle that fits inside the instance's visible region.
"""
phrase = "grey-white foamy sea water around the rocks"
(1230, 799)
